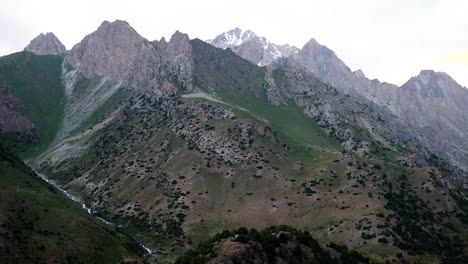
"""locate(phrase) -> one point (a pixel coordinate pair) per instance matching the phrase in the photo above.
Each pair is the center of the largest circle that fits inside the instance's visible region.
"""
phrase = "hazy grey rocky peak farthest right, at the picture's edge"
(435, 107)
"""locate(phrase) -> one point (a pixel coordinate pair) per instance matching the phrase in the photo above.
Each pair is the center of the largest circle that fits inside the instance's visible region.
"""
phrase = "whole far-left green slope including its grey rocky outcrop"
(32, 87)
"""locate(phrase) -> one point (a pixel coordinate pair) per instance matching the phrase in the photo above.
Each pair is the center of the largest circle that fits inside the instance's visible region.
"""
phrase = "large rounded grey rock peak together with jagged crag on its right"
(115, 51)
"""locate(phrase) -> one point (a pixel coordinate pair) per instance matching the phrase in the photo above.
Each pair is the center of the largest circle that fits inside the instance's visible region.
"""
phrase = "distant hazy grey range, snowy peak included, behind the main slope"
(432, 105)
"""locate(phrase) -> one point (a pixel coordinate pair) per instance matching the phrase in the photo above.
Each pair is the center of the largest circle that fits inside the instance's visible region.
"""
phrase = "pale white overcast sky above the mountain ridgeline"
(390, 40)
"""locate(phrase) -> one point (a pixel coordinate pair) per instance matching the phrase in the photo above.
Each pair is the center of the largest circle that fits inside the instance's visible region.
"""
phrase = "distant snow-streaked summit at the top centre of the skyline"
(249, 46)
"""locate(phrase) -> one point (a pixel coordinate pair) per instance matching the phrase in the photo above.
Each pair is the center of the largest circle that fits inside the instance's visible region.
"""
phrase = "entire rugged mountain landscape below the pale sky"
(231, 150)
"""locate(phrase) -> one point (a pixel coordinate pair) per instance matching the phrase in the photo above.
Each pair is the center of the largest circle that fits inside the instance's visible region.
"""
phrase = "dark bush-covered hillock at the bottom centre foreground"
(276, 244)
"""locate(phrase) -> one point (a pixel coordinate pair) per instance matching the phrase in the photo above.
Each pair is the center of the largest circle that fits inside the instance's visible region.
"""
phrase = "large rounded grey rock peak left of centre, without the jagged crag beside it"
(117, 52)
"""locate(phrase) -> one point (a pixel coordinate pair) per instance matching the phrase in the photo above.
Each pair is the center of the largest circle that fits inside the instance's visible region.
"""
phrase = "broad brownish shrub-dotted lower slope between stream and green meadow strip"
(168, 176)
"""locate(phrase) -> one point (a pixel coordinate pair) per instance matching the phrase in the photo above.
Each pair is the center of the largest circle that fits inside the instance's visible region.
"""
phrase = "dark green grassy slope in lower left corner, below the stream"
(40, 225)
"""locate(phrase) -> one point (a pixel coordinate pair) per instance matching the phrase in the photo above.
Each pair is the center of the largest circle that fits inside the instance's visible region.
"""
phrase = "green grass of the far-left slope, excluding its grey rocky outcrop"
(36, 81)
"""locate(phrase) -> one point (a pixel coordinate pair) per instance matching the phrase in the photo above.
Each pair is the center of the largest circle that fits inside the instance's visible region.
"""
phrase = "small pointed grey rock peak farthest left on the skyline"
(47, 44)
